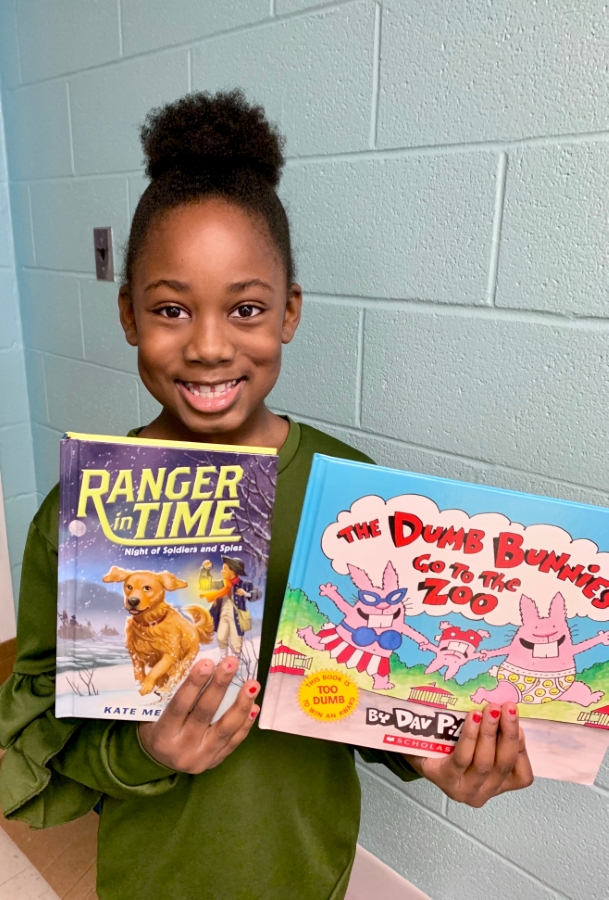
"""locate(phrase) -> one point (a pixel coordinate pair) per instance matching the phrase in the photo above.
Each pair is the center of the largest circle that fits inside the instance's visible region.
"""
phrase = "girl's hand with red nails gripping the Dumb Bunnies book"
(489, 759)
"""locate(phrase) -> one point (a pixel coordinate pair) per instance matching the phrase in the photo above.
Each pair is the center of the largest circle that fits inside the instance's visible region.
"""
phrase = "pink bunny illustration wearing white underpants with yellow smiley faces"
(540, 662)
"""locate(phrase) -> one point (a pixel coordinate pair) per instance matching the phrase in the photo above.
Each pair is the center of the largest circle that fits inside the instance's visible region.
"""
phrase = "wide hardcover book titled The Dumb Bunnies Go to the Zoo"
(413, 599)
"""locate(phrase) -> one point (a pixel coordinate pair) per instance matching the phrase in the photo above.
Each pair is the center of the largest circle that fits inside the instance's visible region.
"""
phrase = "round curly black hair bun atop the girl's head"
(203, 132)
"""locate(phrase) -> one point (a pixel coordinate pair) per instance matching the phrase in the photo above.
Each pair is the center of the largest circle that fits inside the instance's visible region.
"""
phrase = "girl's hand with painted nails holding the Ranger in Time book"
(183, 738)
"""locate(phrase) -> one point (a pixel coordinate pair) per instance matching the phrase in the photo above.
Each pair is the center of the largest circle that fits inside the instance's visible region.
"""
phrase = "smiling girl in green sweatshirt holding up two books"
(191, 809)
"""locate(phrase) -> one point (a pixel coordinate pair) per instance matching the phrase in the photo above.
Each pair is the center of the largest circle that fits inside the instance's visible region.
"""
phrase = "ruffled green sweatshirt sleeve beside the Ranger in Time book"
(55, 770)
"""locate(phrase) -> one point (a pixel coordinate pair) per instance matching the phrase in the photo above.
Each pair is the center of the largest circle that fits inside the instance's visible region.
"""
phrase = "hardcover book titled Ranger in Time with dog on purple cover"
(163, 551)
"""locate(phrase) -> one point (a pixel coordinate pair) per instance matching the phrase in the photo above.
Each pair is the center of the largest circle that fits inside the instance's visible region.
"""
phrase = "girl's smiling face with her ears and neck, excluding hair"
(208, 313)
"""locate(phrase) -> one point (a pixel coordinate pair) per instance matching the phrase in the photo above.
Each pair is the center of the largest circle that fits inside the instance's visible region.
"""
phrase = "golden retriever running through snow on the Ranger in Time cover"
(158, 636)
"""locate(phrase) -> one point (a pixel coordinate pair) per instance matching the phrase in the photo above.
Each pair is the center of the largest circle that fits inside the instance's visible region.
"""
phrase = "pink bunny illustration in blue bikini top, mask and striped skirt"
(371, 630)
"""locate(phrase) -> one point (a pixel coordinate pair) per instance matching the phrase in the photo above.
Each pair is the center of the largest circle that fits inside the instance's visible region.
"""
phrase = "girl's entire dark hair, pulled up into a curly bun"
(204, 146)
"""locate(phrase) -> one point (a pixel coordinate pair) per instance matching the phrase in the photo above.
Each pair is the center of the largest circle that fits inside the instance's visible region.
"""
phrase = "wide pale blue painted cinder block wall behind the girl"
(448, 182)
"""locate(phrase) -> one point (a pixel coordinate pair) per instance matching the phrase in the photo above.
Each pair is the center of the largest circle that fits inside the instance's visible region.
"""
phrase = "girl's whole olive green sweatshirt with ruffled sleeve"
(277, 819)
